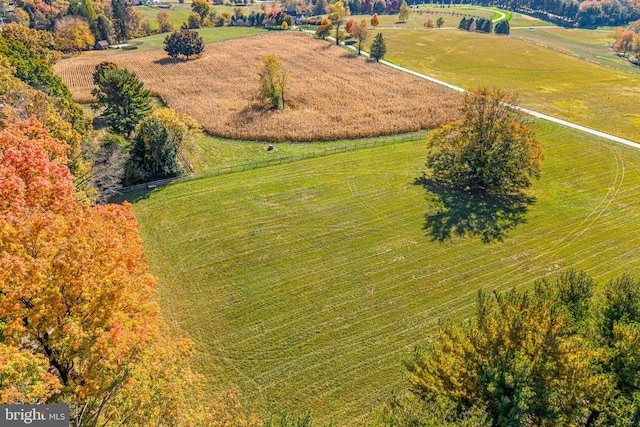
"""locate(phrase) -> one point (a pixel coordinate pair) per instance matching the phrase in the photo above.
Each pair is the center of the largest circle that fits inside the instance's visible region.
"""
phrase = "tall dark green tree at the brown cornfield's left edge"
(122, 95)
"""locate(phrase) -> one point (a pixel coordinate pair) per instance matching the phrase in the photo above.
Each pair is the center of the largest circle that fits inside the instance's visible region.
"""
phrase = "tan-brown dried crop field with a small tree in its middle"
(333, 93)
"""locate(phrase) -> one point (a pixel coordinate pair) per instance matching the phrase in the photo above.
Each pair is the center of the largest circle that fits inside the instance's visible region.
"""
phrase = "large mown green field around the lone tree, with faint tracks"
(306, 284)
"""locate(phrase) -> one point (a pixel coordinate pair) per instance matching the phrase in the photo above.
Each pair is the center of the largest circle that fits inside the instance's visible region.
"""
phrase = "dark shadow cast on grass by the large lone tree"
(459, 213)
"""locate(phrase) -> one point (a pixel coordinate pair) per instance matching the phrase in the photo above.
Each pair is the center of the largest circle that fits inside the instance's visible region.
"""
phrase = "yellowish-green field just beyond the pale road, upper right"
(547, 81)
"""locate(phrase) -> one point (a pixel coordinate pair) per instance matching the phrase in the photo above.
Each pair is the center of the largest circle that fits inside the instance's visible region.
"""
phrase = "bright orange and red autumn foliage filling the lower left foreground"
(78, 321)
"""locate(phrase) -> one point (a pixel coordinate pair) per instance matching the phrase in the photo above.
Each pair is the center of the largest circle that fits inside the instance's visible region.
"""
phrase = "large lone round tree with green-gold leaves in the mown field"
(492, 150)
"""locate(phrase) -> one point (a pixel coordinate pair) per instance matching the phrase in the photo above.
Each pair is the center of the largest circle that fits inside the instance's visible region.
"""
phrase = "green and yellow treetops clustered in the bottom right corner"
(556, 355)
